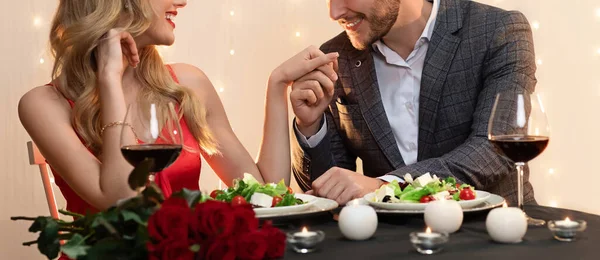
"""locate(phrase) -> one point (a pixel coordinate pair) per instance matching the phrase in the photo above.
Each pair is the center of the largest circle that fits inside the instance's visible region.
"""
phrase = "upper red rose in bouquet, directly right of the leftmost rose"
(213, 219)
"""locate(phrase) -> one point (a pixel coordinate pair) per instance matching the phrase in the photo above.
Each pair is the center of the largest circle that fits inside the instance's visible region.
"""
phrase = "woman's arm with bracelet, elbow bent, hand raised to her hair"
(47, 118)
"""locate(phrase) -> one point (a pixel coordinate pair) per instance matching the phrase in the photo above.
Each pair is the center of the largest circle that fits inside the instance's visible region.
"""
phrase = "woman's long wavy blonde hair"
(76, 29)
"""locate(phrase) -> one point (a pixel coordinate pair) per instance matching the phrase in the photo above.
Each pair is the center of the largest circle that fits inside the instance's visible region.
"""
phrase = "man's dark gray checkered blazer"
(476, 51)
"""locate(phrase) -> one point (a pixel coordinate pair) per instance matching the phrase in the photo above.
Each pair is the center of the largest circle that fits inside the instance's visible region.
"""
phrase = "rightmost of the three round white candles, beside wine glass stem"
(506, 224)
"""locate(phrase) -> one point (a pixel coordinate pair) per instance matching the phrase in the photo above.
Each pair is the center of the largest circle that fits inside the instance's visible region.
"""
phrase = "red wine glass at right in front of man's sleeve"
(519, 129)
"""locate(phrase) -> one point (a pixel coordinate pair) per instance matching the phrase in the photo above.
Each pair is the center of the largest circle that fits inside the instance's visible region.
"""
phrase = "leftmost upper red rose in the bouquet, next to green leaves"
(172, 220)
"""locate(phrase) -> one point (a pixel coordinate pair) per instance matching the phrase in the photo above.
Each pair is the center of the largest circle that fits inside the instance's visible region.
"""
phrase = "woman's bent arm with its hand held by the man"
(274, 157)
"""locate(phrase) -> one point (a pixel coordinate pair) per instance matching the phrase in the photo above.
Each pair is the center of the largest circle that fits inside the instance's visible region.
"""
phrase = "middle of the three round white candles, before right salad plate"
(443, 216)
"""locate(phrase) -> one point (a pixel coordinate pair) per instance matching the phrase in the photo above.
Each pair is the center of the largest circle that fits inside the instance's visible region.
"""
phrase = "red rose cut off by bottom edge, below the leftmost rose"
(171, 249)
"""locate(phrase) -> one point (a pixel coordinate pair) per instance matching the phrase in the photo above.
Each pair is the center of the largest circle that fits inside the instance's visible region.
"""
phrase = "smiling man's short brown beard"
(381, 19)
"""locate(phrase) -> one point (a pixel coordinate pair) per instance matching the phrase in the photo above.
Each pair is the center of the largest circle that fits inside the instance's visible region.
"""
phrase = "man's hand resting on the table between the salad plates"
(343, 185)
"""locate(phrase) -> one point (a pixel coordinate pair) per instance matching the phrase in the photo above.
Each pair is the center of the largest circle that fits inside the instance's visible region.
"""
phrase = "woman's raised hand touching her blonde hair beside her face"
(116, 49)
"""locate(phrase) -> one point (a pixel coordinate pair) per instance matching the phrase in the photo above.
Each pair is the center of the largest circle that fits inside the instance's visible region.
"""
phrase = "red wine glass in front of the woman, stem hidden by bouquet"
(151, 132)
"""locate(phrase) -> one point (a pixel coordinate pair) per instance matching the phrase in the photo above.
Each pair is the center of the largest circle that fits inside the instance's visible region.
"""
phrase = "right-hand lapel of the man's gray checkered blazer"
(439, 57)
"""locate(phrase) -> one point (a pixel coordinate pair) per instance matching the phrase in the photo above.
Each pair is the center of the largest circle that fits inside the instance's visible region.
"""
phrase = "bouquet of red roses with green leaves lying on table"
(188, 225)
